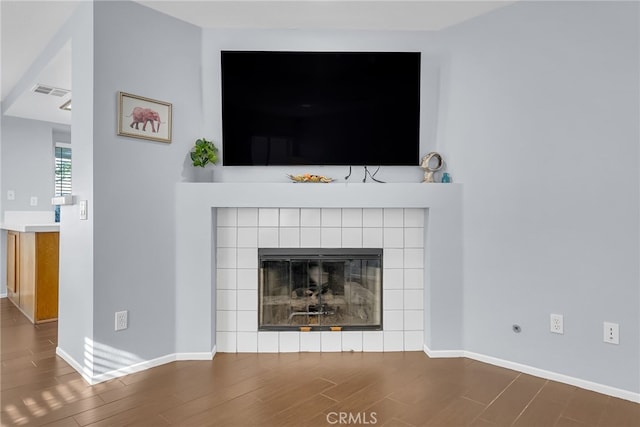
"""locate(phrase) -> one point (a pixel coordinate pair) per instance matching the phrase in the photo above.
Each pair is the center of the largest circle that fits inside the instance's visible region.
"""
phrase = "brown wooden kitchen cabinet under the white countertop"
(32, 273)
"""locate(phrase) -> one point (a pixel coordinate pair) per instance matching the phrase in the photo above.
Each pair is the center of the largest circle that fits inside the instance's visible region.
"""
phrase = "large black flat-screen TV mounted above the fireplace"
(320, 108)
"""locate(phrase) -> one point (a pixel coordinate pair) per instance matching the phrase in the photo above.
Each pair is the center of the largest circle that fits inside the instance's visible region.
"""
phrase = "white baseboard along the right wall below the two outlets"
(537, 372)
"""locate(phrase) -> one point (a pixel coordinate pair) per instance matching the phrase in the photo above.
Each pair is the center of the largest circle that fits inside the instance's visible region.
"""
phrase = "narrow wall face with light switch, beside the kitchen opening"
(75, 301)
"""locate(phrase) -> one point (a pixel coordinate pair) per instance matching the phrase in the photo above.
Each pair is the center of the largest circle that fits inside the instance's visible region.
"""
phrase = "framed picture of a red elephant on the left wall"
(145, 118)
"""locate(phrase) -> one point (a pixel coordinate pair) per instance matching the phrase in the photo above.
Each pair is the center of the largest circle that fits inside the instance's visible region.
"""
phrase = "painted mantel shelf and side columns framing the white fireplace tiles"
(196, 213)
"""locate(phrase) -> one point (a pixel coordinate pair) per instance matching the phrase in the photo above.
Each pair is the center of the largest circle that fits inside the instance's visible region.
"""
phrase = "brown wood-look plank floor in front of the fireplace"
(299, 389)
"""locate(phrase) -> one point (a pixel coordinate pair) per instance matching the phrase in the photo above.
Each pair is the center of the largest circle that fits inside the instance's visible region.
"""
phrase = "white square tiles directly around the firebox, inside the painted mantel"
(241, 231)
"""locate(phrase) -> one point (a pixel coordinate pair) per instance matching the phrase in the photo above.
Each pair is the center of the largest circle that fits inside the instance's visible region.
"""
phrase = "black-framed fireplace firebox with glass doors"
(319, 289)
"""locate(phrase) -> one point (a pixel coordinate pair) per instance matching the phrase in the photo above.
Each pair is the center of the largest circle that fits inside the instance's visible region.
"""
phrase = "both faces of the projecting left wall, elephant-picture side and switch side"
(122, 257)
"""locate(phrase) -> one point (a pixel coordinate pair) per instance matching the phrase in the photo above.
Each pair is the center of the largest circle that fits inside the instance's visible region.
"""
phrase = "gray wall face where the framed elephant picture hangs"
(134, 179)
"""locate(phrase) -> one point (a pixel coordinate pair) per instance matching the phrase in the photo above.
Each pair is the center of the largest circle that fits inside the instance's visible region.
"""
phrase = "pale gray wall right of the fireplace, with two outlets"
(541, 118)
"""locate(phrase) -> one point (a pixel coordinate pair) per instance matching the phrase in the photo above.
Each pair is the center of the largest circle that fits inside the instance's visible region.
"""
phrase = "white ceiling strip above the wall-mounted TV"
(361, 15)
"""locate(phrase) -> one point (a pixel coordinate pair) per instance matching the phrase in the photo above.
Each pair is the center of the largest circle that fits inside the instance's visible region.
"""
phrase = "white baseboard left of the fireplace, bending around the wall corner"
(92, 379)
